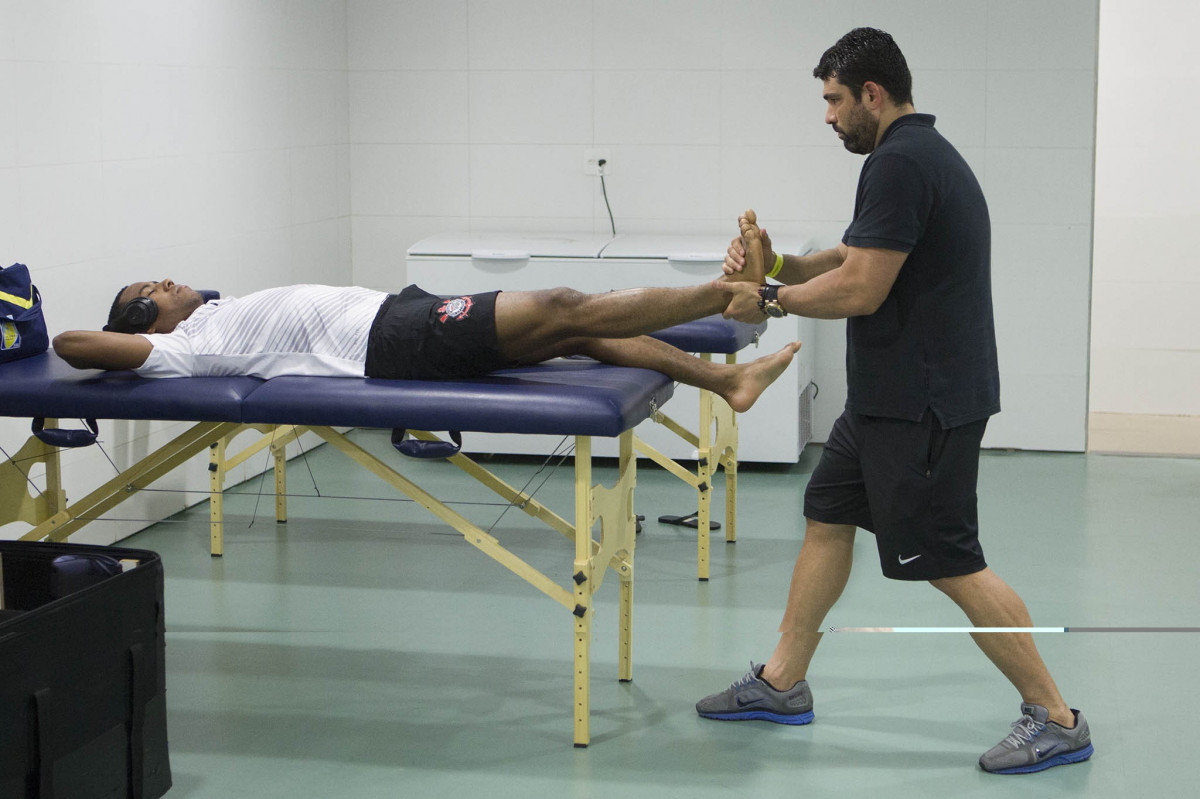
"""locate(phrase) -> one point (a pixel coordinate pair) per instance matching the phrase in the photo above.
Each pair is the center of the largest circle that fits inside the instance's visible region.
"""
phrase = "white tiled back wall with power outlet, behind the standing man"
(475, 116)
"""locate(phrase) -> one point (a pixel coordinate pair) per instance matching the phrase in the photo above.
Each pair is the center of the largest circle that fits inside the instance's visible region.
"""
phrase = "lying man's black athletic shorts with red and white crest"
(421, 337)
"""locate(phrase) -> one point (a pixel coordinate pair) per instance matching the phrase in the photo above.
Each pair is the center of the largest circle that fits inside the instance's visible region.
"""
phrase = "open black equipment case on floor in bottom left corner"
(83, 710)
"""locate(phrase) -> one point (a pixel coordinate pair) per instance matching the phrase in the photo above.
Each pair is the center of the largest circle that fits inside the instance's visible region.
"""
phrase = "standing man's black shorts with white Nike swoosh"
(911, 484)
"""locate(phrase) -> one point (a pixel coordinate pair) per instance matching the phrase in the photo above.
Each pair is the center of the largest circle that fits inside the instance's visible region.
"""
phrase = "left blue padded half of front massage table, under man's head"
(45, 386)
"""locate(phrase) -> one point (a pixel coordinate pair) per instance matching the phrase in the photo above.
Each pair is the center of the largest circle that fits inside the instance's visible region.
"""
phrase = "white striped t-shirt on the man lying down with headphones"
(319, 331)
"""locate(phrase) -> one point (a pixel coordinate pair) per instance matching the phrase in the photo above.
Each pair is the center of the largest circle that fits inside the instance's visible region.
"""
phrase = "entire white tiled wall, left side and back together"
(245, 143)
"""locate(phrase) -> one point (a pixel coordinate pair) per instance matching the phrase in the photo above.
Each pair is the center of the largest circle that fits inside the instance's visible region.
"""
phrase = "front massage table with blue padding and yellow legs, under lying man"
(568, 398)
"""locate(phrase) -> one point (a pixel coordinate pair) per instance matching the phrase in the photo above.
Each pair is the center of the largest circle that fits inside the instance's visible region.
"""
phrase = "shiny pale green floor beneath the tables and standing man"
(364, 651)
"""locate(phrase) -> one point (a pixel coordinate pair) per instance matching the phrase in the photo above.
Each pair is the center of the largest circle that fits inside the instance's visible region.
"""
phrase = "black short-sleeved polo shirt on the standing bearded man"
(933, 343)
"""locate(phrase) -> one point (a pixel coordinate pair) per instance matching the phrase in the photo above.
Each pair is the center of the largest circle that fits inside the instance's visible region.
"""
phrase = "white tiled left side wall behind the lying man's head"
(202, 140)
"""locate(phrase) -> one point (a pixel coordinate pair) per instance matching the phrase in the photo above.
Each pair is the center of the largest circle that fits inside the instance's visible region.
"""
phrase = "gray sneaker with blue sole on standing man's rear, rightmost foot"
(1037, 743)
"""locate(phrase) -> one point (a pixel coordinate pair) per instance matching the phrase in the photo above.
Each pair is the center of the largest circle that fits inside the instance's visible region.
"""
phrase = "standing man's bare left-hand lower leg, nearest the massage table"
(818, 581)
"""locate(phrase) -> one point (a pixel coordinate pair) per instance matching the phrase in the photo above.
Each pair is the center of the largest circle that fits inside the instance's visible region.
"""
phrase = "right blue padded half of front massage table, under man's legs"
(561, 398)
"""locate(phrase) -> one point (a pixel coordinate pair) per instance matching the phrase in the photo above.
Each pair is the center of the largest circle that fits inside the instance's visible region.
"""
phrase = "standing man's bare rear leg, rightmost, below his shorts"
(991, 603)
